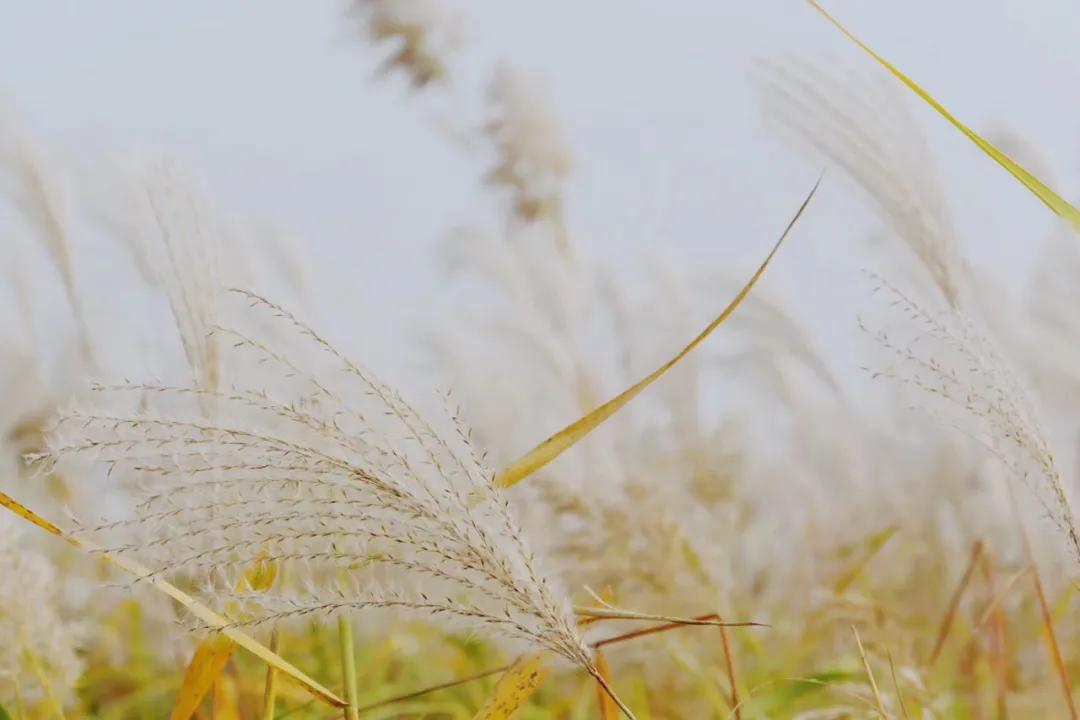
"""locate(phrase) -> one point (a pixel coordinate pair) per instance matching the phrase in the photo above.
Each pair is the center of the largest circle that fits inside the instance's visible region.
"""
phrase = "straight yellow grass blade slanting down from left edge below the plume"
(197, 608)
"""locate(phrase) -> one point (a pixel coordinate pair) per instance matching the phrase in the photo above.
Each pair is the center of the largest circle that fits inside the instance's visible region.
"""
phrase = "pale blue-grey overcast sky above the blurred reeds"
(275, 106)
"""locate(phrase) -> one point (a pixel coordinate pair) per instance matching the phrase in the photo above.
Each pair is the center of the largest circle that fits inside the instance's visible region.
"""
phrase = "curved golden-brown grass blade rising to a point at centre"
(565, 439)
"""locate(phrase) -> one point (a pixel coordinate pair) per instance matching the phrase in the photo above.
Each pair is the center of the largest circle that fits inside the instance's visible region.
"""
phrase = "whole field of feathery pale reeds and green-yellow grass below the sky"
(720, 518)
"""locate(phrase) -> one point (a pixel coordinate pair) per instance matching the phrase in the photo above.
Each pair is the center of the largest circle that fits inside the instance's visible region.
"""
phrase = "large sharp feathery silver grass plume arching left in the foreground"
(329, 478)
